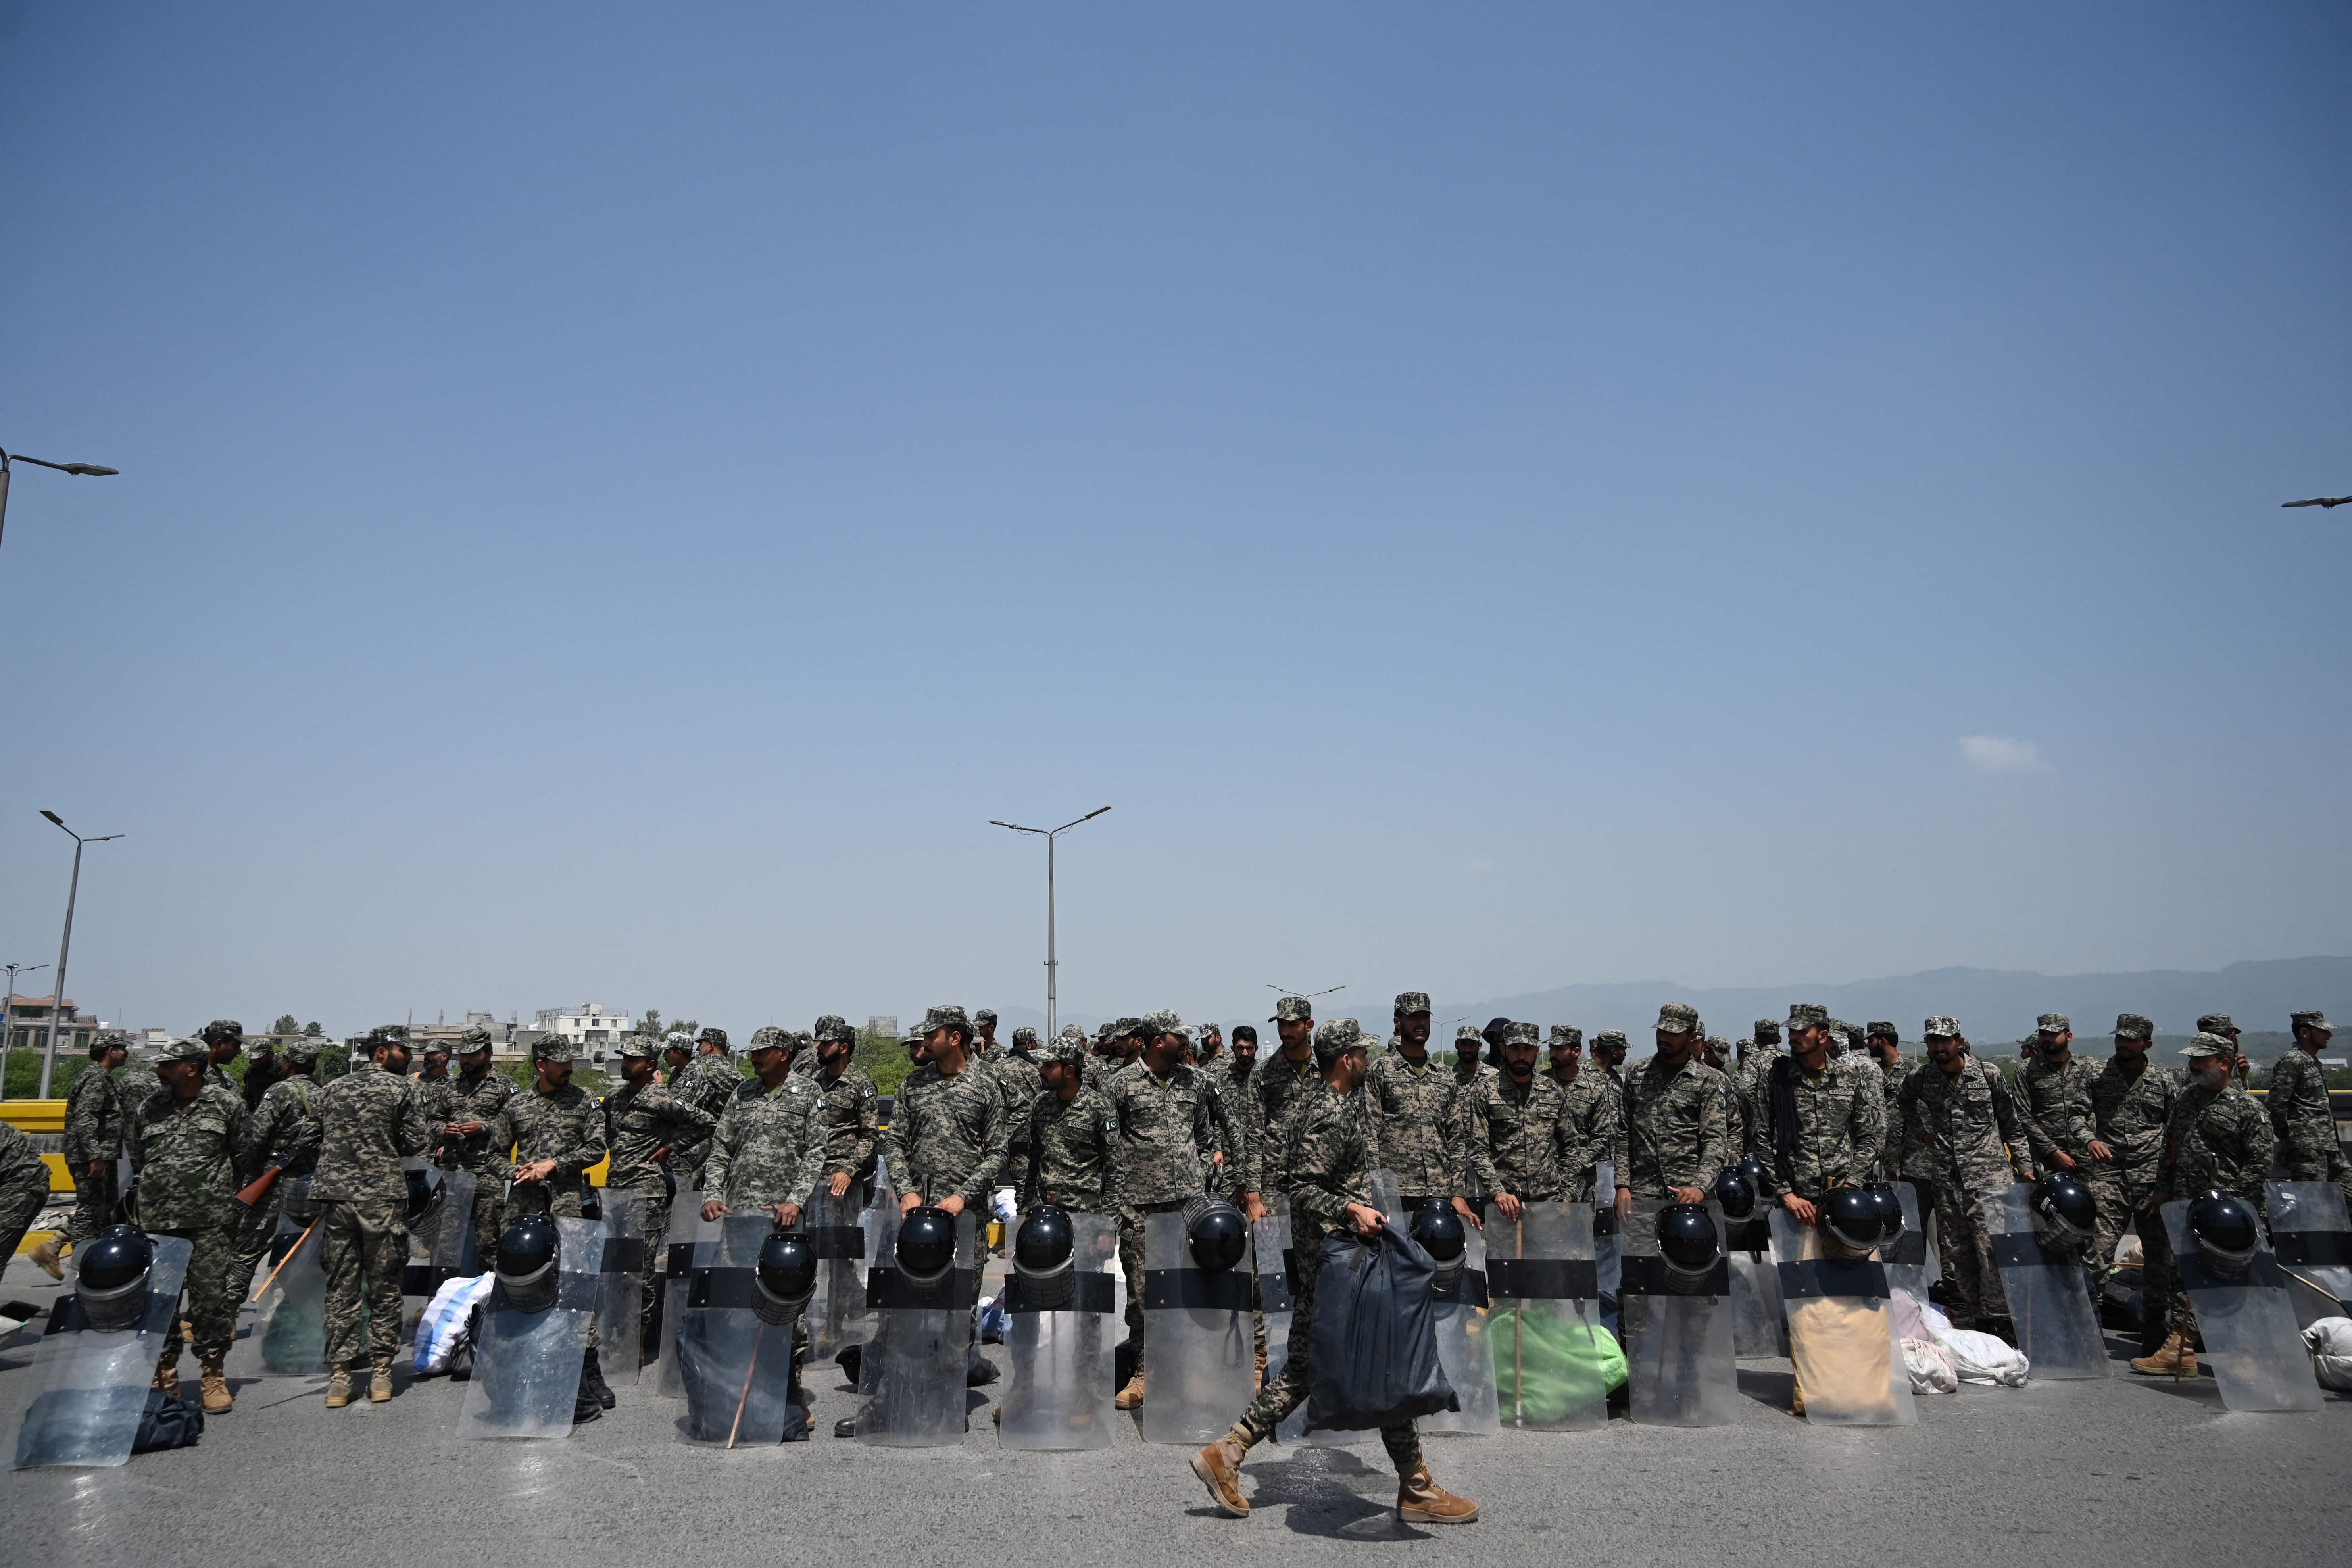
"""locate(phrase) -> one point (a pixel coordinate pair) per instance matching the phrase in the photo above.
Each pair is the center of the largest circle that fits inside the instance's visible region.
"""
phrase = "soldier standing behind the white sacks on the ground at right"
(1963, 1108)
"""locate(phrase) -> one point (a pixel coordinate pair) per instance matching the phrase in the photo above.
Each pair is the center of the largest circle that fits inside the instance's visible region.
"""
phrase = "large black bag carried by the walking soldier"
(1372, 1348)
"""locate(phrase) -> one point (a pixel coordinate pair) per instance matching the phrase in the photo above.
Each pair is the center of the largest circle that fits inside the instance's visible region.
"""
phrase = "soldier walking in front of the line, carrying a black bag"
(1330, 1172)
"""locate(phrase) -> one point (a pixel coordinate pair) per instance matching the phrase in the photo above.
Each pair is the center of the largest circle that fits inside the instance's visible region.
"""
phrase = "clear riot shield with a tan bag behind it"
(1840, 1332)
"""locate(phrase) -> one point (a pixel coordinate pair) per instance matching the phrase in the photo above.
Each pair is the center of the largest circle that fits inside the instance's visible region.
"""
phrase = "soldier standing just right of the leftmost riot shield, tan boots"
(185, 1158)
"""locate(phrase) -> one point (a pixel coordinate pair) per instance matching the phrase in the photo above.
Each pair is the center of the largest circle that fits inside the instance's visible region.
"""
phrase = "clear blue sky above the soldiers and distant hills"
(613, 500)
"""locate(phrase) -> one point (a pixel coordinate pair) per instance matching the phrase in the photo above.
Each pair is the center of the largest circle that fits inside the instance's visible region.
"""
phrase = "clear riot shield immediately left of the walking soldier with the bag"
(1201, 1365)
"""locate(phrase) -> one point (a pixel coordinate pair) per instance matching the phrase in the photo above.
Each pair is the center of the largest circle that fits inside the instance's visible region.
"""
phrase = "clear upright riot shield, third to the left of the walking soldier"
(911, 1379)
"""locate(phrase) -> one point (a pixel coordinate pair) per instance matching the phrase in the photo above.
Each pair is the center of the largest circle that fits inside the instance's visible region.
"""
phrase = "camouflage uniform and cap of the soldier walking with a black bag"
(1330, 1167)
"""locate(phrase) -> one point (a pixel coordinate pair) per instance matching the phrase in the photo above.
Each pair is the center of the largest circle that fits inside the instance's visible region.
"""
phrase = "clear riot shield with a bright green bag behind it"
(1546, 1327)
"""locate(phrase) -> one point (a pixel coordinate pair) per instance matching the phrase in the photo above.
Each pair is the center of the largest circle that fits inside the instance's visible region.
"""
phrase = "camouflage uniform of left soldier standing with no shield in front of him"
(368, 1123)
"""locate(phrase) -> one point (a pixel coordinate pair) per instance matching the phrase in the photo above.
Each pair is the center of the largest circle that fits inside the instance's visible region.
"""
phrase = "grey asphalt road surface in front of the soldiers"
(2069, 1473)
